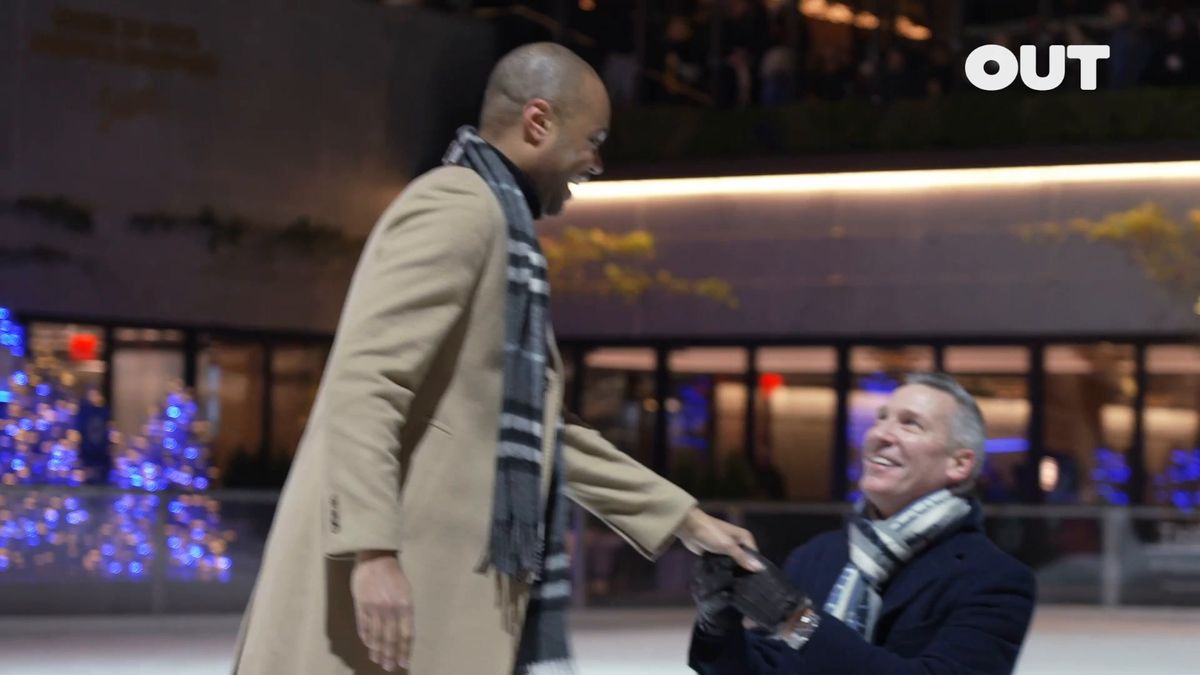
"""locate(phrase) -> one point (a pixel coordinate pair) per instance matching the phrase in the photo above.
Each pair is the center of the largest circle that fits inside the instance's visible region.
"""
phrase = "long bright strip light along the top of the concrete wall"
(887, 181)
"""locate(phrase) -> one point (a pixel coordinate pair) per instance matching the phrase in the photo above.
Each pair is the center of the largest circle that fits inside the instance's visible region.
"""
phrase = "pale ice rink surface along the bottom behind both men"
(1065, 641)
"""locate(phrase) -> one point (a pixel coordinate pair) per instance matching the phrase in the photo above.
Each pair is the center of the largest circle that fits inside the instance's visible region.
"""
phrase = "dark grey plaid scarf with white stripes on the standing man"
(525, 543)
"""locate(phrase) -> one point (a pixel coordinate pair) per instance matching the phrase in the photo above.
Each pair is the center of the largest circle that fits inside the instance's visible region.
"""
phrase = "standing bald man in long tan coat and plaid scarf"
(423, 527)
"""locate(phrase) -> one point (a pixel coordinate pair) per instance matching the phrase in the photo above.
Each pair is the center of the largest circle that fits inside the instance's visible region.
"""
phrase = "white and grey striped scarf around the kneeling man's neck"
(878, 548)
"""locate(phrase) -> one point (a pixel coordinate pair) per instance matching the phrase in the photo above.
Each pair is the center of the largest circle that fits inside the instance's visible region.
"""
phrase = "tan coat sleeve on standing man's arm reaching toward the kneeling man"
(638, 504)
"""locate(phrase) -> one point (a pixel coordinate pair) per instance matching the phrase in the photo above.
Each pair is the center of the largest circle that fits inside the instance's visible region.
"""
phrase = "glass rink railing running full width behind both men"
(97, 551)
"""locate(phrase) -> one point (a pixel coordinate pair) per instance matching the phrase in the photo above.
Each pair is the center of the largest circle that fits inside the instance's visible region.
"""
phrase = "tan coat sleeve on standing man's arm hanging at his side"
(413, 285)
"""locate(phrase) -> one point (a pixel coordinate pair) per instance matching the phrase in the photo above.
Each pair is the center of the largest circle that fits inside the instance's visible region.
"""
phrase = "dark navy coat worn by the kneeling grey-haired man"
(963, 607)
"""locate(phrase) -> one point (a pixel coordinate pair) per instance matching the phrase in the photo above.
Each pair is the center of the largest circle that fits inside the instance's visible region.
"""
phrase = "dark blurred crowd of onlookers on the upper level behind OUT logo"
(759, 64)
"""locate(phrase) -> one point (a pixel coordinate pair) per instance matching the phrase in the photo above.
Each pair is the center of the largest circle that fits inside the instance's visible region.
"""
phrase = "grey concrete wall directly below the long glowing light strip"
(932, 262)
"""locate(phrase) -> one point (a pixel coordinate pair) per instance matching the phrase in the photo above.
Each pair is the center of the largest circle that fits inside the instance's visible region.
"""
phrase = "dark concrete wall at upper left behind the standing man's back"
(266, 111)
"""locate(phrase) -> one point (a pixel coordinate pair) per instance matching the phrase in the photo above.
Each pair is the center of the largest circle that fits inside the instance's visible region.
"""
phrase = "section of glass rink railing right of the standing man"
(1082, 554)
